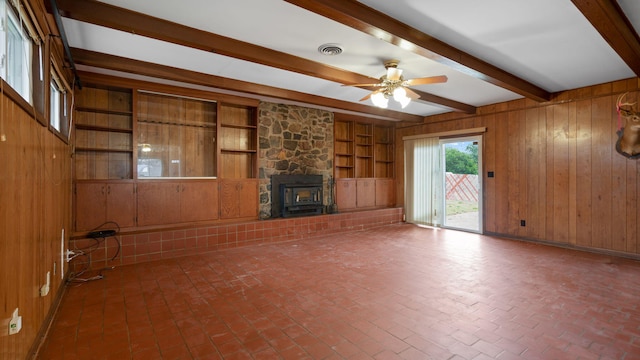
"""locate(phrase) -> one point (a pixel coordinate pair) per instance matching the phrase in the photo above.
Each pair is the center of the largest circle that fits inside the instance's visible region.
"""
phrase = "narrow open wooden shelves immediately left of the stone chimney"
(237, 141)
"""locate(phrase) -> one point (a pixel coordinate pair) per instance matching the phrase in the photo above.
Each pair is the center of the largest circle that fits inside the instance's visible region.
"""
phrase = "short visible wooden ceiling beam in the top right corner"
(609, 20)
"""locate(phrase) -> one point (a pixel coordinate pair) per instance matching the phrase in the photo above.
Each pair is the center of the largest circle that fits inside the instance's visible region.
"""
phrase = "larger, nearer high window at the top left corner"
(16, 51)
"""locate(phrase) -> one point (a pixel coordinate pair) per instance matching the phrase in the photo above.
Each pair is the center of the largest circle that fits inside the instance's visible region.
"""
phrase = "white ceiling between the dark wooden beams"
(548, 43)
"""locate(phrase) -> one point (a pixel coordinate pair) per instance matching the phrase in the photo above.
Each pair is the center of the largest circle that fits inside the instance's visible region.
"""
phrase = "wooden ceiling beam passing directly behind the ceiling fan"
(129, 21)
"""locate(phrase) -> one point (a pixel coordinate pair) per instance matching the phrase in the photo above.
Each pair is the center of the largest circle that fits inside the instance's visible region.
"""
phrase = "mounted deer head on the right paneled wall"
(628, 143)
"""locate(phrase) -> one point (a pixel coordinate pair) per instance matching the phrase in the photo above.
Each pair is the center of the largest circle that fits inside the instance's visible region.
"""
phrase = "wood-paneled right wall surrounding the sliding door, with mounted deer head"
(555, 166)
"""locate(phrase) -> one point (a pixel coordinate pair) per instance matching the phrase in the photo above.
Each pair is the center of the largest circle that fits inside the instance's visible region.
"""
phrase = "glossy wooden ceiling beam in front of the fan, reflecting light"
(370, 21)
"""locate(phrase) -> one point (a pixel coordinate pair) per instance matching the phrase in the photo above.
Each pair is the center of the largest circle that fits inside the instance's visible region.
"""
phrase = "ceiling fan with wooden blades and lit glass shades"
(394, 85)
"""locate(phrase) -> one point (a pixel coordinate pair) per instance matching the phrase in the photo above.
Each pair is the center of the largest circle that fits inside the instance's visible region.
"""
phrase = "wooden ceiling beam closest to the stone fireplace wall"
(131, 66)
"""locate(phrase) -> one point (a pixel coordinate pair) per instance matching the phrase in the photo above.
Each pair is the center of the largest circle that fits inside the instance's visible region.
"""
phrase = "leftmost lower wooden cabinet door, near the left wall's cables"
(90, 205)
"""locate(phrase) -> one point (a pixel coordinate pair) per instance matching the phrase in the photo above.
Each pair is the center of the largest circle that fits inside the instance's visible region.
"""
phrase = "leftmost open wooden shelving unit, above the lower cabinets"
(103, 133)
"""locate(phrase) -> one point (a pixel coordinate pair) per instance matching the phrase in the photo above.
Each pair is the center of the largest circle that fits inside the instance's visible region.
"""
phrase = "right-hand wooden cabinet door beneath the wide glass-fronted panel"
(199, 201)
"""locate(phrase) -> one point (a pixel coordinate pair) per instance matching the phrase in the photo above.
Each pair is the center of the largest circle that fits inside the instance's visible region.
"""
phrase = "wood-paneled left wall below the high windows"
(35, 206)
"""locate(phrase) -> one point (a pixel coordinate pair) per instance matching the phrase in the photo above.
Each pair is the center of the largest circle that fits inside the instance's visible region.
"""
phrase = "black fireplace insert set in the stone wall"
(296, 195)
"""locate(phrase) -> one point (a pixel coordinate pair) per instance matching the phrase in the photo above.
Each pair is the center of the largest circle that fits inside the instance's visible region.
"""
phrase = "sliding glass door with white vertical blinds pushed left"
(443, 186)
